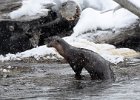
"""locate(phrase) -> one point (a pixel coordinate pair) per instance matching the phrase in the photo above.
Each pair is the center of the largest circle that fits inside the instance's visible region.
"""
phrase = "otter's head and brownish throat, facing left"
(57, 43)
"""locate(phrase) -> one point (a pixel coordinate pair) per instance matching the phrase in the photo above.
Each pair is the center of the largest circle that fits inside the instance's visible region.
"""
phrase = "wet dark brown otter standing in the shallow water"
(79, 58)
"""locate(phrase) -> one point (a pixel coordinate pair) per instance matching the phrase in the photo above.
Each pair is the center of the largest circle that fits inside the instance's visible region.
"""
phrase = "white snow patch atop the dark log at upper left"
(31, 8)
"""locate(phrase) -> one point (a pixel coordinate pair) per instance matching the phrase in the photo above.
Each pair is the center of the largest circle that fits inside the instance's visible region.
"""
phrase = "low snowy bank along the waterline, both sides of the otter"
(109, 52)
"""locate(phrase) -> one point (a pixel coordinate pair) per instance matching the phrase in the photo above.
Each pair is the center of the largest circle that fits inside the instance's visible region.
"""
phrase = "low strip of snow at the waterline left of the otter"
(37, 53)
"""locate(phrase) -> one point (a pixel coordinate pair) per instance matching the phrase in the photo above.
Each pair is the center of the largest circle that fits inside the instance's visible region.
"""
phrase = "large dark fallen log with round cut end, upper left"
(27, 32)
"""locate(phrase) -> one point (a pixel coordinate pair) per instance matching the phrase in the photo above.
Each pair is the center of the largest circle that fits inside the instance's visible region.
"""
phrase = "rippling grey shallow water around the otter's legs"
(40, 81)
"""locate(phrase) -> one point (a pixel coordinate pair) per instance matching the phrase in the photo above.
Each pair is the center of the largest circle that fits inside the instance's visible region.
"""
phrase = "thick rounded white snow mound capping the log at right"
(91, 20)
